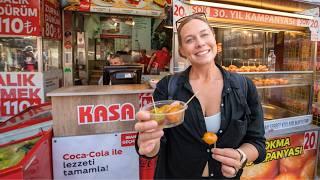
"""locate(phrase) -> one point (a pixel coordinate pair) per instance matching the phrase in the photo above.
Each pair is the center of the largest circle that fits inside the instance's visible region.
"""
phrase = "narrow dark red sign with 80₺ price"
(52, 20)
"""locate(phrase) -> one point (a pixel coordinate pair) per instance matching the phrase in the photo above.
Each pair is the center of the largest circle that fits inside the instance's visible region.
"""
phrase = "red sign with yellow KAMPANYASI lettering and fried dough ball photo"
(288, 157)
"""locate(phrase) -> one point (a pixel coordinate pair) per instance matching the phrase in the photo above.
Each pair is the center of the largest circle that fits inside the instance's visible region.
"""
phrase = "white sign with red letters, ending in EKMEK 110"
(19, 91)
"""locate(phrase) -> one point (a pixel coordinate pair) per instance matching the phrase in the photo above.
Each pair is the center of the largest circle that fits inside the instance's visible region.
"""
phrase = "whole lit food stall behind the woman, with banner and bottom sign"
(277, 50)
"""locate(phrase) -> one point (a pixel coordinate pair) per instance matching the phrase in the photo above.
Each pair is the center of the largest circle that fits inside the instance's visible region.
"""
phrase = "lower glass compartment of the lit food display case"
(283, 94)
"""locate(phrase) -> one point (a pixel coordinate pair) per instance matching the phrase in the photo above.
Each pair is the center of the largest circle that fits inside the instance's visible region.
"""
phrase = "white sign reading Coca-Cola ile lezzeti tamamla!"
(103, 156)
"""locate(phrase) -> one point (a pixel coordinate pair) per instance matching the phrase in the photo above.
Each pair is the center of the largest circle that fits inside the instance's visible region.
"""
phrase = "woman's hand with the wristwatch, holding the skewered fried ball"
(230, 160)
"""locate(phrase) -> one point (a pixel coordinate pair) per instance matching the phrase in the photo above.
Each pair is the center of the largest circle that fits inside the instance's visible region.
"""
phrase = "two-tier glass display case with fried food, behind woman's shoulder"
(286, 88)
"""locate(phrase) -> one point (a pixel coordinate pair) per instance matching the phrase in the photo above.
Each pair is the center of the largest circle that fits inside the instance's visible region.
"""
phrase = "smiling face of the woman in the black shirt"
(198, 42)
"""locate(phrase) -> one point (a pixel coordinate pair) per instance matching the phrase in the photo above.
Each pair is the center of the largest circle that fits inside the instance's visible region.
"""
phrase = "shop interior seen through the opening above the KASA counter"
(100, 38)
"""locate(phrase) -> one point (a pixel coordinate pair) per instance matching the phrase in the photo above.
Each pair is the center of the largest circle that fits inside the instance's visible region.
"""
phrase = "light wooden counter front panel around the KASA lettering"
(65, 120)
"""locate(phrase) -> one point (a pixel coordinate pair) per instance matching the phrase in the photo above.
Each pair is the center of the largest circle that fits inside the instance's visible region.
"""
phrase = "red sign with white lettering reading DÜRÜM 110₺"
(20, 17)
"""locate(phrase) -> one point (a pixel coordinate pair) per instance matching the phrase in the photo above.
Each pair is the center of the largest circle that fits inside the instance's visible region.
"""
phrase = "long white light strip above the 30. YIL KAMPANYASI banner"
(243, 8)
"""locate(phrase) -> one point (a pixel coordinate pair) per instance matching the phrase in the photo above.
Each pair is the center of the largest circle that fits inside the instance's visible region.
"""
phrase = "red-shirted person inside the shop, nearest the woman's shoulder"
(159, 60)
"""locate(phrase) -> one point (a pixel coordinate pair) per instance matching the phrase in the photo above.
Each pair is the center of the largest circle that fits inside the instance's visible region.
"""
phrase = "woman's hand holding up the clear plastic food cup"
(149, 134)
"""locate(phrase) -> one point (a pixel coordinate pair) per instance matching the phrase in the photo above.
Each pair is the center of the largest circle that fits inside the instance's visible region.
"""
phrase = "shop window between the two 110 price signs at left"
(18, 54)
